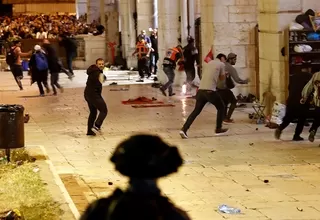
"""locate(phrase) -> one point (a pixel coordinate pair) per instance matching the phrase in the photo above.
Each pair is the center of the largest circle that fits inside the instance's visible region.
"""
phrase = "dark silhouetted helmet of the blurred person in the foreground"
(146, 157)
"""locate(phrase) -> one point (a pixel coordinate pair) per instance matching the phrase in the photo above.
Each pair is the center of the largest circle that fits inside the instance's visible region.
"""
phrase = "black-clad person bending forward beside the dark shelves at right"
(294, 109)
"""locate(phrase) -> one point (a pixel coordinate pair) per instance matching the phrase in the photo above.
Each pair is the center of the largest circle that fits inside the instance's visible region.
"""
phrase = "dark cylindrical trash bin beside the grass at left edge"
(11, 126)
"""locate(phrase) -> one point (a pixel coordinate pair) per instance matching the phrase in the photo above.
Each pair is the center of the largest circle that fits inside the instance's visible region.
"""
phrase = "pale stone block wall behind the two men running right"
(229, 26)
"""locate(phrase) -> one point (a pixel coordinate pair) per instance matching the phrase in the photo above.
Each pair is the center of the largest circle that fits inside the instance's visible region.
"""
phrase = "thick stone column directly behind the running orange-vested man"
(168, 30)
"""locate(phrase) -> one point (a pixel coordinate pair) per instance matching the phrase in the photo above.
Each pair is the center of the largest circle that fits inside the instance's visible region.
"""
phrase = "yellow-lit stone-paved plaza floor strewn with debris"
(218, 170)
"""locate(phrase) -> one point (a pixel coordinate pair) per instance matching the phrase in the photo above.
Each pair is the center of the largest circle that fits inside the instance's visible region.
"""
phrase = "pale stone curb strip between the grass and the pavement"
(54, 183)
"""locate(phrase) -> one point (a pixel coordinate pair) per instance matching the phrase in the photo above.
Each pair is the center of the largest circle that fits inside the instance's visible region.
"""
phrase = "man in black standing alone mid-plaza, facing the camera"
(92, 95)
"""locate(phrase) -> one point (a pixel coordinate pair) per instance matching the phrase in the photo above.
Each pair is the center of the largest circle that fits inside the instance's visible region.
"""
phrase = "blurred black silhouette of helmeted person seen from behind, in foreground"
(144, 159)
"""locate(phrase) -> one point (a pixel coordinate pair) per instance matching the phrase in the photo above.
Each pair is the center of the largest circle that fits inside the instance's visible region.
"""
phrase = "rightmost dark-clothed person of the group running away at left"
(70, 46)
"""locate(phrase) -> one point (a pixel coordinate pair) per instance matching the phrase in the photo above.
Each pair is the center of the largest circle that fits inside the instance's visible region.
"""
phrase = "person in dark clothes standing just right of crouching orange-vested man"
(191, 55)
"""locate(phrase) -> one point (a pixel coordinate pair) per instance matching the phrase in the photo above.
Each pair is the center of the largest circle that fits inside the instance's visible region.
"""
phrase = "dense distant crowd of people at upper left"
(44, 26)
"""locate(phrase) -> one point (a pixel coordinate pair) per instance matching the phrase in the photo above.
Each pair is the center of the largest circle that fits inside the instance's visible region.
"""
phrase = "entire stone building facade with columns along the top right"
(228, 26)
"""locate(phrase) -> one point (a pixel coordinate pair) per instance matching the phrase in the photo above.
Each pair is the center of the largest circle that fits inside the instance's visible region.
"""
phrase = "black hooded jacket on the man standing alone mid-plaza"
(94, 86)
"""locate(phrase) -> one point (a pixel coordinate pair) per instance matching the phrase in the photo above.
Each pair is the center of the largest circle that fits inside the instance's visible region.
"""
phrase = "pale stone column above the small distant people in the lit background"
(145, 15)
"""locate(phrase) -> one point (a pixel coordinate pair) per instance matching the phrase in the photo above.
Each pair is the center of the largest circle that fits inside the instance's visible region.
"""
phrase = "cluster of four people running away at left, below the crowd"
(43, 60)
